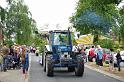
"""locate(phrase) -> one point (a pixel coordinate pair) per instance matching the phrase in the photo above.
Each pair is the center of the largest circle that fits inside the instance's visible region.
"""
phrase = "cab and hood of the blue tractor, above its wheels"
(61, 44)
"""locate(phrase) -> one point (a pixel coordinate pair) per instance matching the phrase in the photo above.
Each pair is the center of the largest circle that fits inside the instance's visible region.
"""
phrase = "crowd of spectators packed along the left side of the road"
(16, 57)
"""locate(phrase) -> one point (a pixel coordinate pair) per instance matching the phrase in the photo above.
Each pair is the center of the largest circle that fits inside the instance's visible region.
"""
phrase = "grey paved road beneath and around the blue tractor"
(37, 75)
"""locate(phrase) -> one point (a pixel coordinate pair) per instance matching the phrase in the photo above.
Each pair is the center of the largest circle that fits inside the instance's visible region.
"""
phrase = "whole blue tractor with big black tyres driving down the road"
(59, 54)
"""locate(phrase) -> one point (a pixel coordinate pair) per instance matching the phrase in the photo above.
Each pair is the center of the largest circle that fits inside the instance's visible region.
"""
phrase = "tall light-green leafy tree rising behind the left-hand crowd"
(19, 22)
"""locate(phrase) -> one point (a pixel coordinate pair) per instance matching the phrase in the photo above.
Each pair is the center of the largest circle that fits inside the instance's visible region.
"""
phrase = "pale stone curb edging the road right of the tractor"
(106, 73)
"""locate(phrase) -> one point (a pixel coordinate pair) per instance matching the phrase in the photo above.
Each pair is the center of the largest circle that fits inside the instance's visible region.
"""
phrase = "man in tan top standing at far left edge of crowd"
(5, 52)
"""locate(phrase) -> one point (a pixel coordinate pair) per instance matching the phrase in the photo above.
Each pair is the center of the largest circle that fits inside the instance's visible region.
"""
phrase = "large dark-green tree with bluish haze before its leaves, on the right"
(95, 17)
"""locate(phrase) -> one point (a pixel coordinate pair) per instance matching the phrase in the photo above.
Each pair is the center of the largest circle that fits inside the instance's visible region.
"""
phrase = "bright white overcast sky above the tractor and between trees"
(50, 12)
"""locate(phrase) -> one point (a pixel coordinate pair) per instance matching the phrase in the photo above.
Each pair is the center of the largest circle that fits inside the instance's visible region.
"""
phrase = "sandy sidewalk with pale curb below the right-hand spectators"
(105, 70)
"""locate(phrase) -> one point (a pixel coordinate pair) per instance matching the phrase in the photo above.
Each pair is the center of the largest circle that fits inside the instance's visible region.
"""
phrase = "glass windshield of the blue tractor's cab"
(61, 39)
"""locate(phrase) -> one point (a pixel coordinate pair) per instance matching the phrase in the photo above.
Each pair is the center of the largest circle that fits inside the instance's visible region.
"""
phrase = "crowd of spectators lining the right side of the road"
(96, 54)
